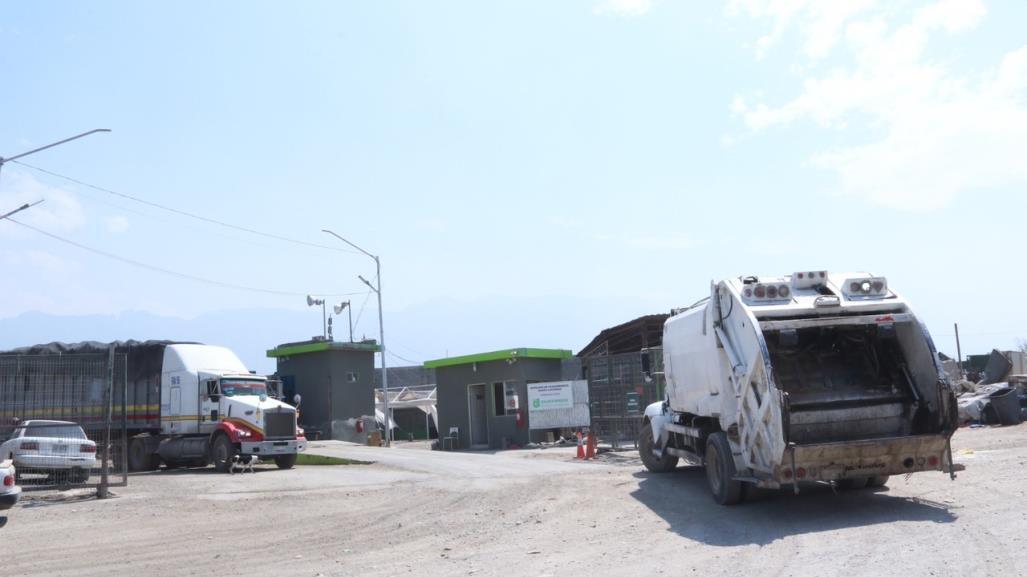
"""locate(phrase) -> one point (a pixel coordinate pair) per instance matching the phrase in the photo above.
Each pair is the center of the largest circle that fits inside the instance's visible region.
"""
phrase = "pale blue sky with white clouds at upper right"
(610, 157)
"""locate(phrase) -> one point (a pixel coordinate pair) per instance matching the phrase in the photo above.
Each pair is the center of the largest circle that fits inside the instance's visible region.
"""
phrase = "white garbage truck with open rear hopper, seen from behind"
(814, 377)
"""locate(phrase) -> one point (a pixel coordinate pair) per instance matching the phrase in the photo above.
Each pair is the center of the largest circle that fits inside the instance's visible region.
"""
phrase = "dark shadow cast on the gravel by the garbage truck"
(683, 501)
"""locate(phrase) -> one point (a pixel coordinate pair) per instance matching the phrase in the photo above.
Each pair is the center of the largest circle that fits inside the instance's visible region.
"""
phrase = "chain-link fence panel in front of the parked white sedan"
(63, 420)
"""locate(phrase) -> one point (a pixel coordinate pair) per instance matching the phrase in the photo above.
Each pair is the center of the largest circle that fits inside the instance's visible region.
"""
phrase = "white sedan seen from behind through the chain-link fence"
(57, 449)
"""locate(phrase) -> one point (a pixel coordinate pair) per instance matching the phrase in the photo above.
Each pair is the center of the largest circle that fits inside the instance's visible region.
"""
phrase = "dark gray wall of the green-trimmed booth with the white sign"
(454, 406)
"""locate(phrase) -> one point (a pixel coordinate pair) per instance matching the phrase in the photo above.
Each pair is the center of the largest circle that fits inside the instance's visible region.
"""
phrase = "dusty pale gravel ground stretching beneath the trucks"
(527, 513)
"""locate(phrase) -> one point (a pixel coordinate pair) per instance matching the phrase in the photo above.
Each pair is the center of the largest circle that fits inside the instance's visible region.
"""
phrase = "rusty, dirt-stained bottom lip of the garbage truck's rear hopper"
(833, 461)
